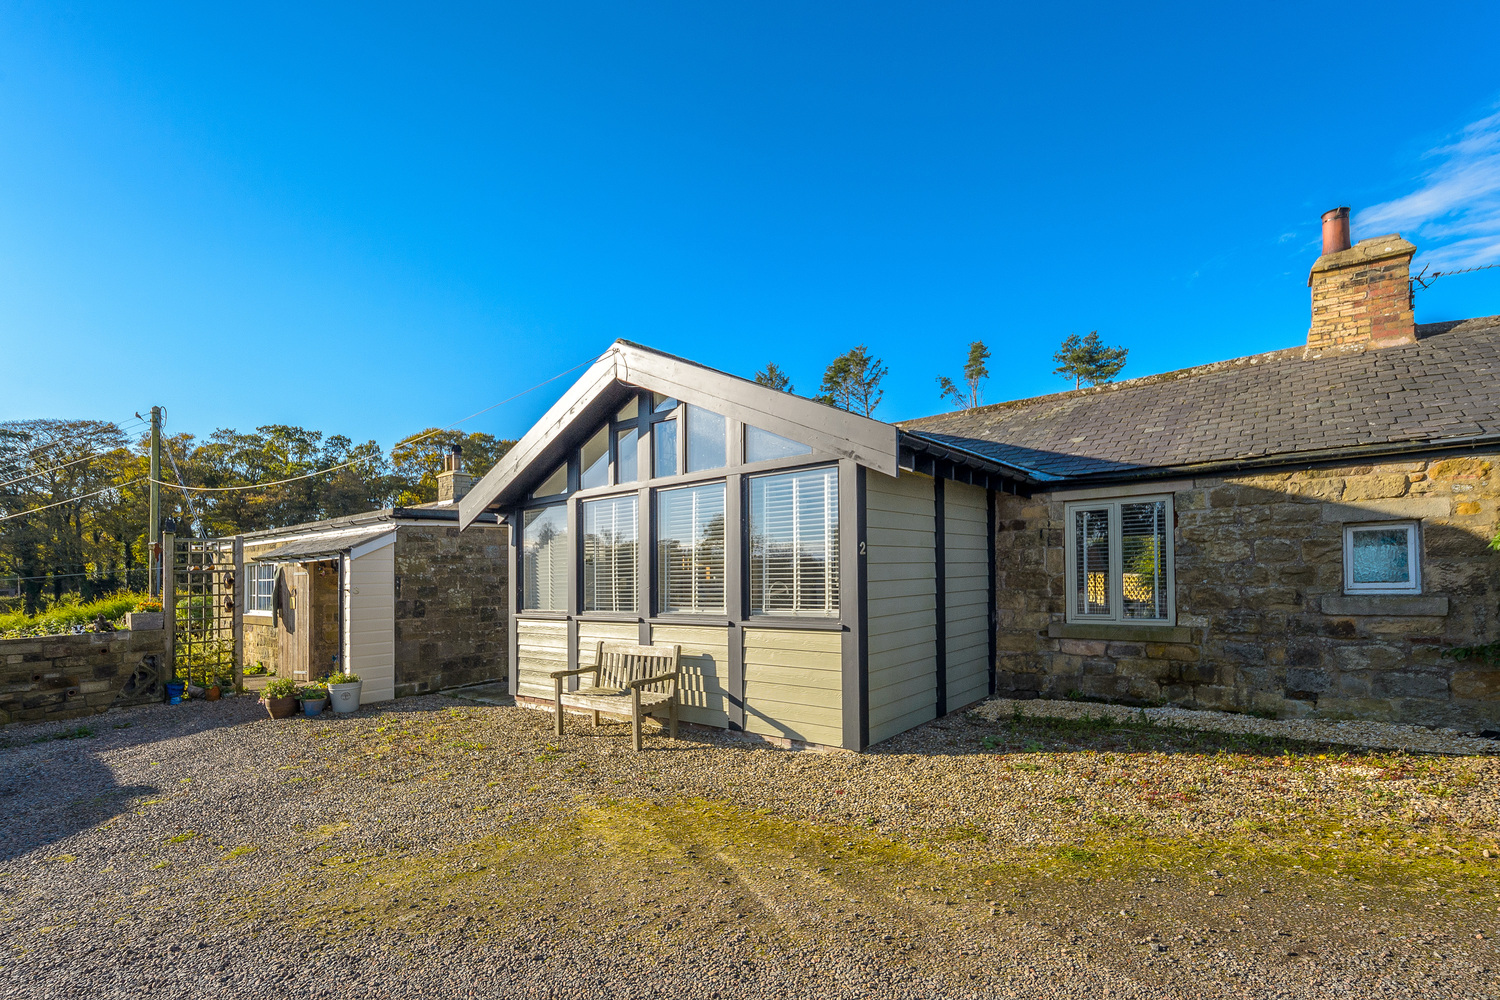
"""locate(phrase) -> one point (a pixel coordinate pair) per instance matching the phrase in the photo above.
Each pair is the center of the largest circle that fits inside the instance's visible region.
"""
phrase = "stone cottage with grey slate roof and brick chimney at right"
(1300, 533)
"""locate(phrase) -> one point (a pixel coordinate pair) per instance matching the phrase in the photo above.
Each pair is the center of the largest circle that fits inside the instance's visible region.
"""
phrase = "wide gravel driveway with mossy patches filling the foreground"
(437, 848)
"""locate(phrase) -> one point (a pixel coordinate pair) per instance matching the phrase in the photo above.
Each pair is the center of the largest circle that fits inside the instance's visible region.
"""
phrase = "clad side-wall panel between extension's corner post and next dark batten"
(902, 602)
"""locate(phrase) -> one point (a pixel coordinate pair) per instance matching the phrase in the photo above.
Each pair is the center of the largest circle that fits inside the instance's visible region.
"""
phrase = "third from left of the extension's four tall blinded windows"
(691, 549)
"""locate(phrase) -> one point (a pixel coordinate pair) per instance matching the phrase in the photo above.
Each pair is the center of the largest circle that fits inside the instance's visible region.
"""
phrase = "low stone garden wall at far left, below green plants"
(68, 677)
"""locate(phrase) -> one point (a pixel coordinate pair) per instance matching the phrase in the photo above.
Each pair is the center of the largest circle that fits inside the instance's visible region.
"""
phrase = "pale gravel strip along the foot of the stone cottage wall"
(1345, 732)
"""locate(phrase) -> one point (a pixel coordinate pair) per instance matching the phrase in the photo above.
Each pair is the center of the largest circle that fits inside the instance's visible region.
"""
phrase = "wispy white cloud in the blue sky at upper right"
(1456, 212)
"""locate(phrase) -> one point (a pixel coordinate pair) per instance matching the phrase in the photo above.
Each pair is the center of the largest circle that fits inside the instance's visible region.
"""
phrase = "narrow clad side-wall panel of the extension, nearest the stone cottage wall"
(967, 572)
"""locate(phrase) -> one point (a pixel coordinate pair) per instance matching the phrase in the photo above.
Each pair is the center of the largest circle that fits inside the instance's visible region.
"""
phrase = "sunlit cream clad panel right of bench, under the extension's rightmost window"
(794, 684)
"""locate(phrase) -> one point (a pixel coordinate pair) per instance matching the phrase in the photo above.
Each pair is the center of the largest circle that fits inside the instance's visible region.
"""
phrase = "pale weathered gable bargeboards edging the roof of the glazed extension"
(829, 430)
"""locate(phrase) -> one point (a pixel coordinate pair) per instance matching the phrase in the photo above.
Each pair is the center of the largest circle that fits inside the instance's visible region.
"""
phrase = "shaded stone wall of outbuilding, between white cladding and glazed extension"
(451, 608)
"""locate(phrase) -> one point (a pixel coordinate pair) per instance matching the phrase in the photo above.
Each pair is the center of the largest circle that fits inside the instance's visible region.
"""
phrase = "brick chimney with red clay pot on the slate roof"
(1363, 293)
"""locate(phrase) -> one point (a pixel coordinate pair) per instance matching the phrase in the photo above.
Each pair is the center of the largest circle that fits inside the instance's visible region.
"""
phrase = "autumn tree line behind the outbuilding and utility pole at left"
(83, 488)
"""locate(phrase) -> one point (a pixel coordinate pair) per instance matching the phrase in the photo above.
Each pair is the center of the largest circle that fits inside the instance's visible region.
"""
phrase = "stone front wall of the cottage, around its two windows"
(1262, 618)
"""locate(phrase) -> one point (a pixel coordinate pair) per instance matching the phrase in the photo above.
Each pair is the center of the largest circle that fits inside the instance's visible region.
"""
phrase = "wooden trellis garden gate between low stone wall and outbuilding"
(203, 611)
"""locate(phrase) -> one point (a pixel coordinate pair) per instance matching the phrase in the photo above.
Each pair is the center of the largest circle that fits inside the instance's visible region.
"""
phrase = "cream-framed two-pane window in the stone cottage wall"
(1120, 561)
